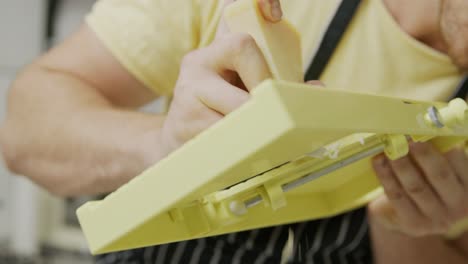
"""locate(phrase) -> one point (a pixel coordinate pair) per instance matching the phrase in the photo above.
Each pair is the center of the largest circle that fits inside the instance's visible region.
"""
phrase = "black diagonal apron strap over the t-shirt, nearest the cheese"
(332, 37)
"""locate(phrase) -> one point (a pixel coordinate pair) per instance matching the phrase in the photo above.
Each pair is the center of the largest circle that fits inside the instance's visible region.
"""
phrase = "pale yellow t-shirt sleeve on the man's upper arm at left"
(148, 37)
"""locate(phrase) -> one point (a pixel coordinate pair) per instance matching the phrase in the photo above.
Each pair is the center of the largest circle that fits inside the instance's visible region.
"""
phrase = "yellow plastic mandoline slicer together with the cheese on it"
(292, 153)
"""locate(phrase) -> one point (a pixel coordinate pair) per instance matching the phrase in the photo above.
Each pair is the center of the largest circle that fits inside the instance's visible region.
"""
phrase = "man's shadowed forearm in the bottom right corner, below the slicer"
(393, 247)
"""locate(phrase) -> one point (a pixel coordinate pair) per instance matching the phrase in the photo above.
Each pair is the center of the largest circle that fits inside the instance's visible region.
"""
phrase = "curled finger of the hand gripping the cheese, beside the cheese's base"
(238, 53)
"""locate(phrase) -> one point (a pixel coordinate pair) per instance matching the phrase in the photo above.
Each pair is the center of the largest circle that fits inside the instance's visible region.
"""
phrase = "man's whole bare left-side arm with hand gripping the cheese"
(36, 140)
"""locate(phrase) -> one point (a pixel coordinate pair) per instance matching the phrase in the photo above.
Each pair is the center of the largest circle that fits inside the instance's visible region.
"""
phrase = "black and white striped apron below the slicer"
(340, 239)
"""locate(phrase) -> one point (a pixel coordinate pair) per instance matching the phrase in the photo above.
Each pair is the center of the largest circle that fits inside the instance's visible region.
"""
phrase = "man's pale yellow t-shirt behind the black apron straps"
(150, 37)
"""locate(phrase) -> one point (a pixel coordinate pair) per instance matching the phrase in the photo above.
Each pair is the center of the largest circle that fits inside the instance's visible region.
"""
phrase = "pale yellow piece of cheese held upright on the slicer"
(279, 42)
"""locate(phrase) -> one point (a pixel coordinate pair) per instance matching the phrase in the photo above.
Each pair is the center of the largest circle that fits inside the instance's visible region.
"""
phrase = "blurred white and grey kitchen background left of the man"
(34, 226)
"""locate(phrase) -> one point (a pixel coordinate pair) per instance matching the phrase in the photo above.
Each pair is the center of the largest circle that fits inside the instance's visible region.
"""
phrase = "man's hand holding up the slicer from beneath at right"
(426, 192)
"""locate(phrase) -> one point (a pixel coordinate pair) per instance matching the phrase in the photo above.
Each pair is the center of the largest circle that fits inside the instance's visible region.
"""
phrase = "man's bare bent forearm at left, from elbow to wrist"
(68, 138)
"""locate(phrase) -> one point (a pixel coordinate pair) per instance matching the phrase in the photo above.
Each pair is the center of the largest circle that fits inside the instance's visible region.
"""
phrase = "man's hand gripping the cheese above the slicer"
(215, 81)
